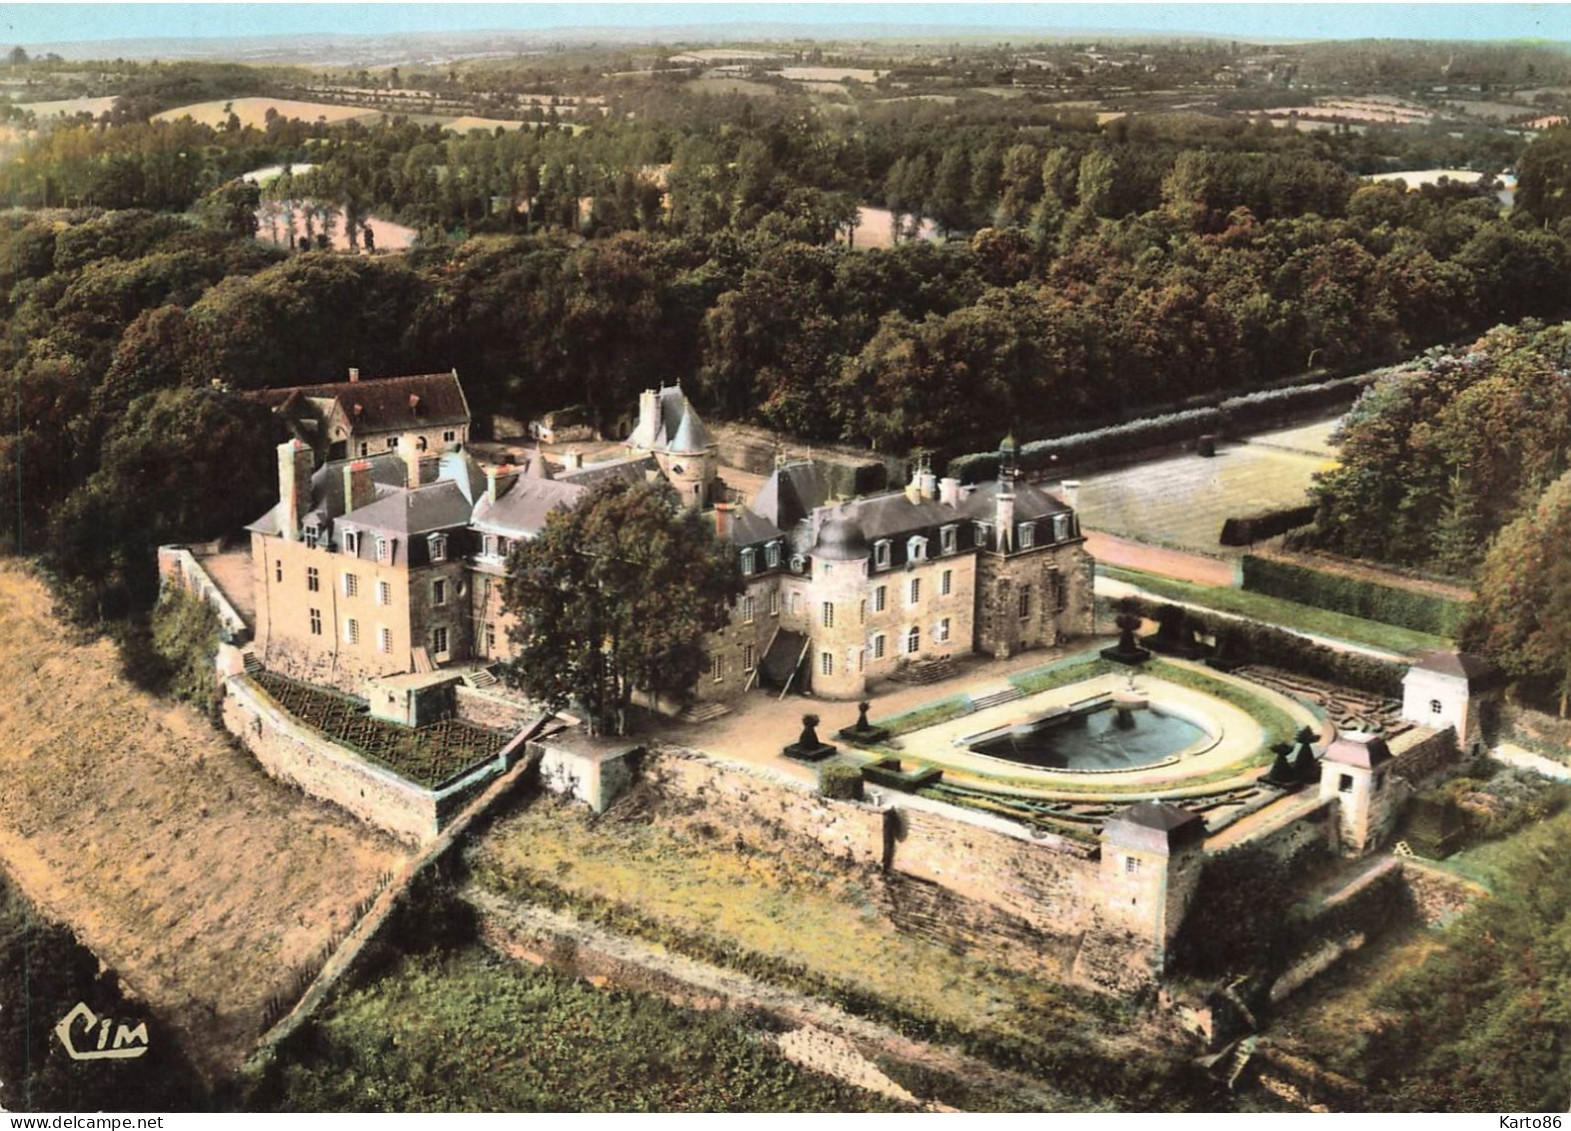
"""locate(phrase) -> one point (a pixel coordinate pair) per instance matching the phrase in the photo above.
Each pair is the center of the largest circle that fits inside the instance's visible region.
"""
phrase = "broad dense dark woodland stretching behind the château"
(1091, 274)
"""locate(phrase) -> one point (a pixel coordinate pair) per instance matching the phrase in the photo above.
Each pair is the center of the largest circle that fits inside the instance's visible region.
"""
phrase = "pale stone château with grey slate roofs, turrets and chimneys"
(392, 563)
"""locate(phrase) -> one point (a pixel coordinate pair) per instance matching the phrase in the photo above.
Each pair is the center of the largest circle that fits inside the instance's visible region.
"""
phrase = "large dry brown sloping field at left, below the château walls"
(174, 857)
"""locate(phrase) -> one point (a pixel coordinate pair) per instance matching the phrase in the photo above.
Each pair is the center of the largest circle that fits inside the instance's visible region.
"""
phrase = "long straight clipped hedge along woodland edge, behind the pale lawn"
(1225, 419)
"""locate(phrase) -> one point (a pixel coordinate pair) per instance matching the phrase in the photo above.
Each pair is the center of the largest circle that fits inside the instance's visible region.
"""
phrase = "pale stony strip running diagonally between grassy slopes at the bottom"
(835, 1039)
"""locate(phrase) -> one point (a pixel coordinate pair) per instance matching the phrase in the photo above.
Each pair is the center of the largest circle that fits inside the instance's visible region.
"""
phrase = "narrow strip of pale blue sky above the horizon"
(71, 23)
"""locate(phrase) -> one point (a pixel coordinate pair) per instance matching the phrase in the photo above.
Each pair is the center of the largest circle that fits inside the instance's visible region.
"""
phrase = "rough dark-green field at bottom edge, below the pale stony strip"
(469, 1031)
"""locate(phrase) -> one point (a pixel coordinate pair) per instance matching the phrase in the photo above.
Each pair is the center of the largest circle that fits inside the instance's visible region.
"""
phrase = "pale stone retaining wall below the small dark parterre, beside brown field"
(299, 756)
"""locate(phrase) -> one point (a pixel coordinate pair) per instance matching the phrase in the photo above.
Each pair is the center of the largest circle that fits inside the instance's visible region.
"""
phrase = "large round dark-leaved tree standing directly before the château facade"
(617, 596)
